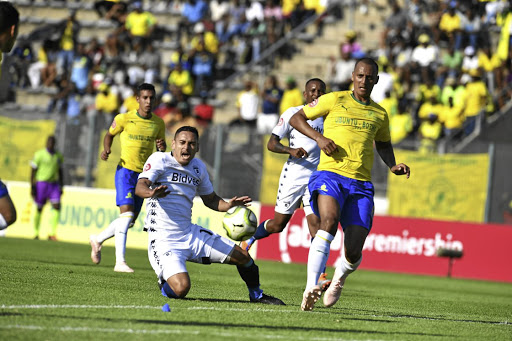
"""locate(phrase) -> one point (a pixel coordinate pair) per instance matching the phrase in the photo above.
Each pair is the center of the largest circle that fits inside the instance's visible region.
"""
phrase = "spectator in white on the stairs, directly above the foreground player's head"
(340, 72)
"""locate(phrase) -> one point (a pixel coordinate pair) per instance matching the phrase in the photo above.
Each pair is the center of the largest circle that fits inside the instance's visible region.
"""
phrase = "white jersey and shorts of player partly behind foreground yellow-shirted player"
(293, 182)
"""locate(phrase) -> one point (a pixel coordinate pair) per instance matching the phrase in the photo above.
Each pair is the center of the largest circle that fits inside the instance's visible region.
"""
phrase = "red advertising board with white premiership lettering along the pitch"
(405, 245)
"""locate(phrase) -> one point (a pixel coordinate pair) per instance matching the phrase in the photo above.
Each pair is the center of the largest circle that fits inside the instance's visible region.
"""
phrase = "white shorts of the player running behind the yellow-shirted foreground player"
(289, 196)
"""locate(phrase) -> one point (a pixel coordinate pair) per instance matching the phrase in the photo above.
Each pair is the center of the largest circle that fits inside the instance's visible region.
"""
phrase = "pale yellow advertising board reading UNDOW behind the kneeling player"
(88, 211)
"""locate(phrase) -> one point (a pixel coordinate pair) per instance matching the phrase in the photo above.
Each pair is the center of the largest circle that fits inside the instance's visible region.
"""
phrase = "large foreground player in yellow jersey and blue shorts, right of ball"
(341, 188)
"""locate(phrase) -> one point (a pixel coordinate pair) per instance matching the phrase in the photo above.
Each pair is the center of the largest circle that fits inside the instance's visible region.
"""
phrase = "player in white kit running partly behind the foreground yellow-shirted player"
(293, 182)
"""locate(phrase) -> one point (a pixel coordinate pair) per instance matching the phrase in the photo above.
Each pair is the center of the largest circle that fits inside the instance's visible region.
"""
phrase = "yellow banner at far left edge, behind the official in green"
(20, 140)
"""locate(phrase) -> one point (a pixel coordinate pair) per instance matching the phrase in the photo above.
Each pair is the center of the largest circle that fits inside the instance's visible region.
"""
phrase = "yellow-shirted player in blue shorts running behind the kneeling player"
(139, 130)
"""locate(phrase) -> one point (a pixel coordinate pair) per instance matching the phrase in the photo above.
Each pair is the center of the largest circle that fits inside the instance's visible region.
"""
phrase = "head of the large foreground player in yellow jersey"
(365, 76)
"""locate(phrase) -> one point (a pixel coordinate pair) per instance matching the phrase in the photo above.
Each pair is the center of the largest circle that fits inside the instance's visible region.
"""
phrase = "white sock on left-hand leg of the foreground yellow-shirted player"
(317, 257)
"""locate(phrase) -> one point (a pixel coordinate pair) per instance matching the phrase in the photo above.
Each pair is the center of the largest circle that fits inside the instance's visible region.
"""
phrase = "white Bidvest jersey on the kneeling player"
(174, 211)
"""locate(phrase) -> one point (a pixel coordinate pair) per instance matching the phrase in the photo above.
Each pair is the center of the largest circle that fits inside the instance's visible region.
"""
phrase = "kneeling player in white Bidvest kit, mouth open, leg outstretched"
(171, 181)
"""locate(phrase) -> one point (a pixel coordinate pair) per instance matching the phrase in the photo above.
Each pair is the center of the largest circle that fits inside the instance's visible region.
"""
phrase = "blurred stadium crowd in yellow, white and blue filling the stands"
(441, 65)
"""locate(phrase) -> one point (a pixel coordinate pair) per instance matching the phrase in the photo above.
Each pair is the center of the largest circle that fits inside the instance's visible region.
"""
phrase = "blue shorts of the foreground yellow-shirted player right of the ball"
(355, 197)
